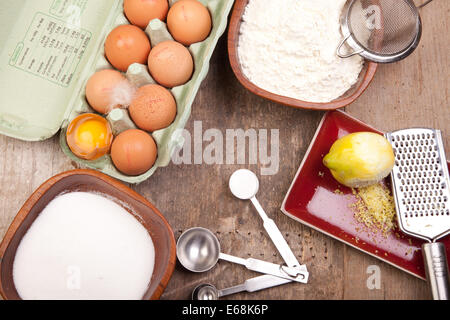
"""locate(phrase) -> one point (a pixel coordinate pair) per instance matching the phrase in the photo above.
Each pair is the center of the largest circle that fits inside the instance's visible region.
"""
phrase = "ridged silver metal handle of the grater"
(437, 270)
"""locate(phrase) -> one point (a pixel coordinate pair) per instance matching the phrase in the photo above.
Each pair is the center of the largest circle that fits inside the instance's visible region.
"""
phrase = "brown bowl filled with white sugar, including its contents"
(84, 236)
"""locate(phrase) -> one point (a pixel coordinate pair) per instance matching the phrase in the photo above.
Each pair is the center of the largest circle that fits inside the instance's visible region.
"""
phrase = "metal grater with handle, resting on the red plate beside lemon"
(420, 184)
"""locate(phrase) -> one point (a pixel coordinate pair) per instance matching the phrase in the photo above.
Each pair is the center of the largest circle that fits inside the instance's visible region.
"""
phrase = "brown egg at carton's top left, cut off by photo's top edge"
(141, 12)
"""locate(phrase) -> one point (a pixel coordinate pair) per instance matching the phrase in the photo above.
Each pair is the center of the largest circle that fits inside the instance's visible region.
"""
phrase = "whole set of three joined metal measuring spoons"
(198, 250)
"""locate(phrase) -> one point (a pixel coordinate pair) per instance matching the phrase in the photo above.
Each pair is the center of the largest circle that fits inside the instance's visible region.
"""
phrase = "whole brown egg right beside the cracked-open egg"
(134, 152)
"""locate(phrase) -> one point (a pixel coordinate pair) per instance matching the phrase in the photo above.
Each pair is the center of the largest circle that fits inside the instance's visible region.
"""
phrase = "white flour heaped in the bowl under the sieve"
(288, 47)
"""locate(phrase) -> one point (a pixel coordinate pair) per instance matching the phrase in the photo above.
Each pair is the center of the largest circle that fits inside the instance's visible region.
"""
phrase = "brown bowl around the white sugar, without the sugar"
(90, 180)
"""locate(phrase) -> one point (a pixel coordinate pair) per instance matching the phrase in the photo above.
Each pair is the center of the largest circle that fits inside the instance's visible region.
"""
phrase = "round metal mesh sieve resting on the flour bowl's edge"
(382, 31)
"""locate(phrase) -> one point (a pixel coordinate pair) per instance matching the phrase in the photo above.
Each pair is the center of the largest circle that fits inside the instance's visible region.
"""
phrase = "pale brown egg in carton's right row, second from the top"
(170, 64)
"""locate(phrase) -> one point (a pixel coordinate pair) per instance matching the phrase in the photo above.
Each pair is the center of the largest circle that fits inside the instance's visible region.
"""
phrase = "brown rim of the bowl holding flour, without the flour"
(350, 96)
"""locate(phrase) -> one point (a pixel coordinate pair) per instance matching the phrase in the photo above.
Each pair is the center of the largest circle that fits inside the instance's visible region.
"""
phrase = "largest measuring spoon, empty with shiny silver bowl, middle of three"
(198, 250)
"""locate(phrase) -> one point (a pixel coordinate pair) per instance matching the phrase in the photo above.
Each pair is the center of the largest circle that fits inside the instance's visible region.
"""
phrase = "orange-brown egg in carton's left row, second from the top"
(126, 45)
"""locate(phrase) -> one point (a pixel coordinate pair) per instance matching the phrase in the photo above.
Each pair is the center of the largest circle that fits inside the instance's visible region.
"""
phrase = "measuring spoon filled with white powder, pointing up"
(244, 185)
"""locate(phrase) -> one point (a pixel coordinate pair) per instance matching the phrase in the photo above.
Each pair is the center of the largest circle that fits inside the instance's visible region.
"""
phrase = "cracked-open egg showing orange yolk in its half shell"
(89, 136)
